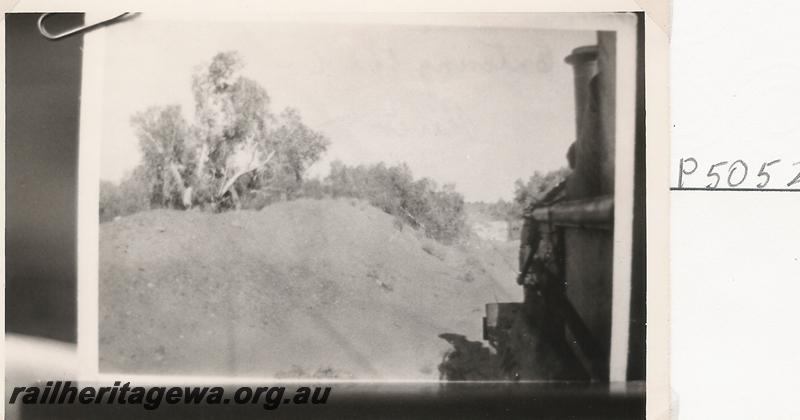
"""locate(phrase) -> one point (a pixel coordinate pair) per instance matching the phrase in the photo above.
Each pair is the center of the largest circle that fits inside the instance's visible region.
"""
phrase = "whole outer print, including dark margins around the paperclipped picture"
(423, 210)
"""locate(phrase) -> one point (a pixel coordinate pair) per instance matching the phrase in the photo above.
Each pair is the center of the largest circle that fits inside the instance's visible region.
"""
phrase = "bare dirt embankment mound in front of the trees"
(332, 288)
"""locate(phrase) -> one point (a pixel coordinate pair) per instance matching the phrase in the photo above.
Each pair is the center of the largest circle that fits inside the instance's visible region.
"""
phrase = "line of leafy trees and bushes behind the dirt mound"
(238, 154)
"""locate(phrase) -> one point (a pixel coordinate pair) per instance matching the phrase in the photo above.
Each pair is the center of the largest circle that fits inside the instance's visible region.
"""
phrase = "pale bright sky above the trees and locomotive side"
(478, 107)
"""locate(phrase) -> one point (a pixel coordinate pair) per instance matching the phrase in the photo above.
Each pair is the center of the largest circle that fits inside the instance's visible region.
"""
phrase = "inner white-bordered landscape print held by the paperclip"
(367, 200)
